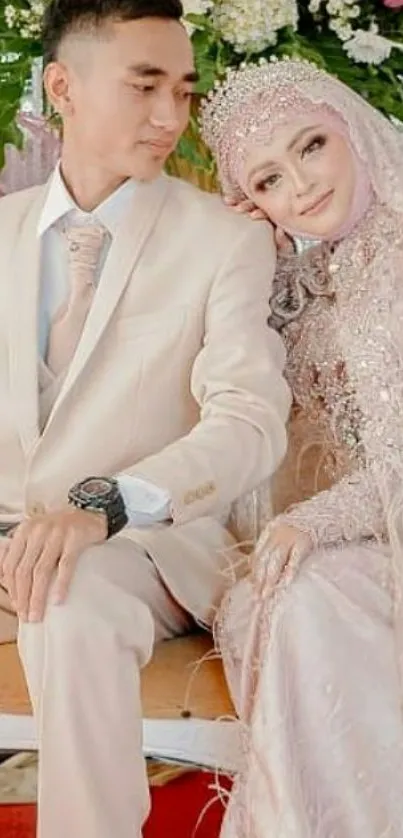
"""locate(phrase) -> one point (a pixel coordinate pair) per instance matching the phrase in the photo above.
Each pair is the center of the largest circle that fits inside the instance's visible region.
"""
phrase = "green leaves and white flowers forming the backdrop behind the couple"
(360, 42)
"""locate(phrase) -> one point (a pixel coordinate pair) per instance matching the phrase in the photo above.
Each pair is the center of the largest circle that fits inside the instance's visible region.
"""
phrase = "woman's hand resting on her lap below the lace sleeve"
(280, 547)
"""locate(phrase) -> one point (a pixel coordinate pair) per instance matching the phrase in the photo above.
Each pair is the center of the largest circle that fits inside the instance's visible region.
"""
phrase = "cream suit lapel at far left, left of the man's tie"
(23, 324)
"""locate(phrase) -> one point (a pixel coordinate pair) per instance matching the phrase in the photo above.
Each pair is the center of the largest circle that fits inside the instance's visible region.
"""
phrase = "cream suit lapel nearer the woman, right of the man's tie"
(125, 251)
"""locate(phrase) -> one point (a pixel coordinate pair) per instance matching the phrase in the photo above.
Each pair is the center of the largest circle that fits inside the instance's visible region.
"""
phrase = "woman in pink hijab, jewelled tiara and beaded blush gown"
(313, 640)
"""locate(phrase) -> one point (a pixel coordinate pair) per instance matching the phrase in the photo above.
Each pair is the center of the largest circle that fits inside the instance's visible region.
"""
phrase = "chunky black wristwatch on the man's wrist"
(101, 494)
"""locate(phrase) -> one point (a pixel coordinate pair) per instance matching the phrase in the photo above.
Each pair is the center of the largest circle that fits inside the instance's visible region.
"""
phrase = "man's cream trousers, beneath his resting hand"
(83, 670)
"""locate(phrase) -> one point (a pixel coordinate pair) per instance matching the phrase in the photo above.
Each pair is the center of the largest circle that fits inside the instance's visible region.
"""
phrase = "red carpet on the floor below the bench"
(176, 809)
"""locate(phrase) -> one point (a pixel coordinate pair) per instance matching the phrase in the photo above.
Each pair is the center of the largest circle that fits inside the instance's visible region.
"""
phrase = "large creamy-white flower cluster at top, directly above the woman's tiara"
(252, 25)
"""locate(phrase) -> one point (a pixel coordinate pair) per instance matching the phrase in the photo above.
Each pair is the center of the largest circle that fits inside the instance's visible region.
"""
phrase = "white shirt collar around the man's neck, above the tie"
(59, 203)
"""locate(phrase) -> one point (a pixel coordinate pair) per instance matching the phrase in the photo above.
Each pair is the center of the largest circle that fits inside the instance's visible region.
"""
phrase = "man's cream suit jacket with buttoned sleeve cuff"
(177, 377)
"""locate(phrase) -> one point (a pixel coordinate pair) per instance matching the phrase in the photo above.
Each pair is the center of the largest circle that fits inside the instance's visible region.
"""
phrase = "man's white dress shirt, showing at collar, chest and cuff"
(145, 504)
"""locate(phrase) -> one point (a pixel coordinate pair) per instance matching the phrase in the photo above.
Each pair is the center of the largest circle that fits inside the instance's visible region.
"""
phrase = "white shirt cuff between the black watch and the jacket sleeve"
(145, 503)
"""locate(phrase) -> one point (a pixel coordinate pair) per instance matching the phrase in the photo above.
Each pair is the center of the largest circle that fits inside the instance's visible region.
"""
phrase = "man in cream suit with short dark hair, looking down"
(133, 347)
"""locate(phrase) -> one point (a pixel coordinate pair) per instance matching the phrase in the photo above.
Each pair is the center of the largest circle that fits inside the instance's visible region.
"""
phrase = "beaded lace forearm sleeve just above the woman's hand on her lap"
(348, 511)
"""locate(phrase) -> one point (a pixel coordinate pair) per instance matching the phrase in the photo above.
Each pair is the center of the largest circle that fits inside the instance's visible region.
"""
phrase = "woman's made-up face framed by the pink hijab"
(303, 178)
